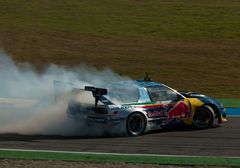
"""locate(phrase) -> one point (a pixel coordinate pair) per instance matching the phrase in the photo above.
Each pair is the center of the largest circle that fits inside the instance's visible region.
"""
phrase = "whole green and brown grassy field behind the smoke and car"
(188, 44)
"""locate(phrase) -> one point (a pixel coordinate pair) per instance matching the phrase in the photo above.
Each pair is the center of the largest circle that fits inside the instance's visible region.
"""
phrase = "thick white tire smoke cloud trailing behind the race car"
(27, 104)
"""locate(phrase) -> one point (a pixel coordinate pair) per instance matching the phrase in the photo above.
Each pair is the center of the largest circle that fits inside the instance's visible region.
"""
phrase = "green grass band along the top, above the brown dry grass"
(187, 19)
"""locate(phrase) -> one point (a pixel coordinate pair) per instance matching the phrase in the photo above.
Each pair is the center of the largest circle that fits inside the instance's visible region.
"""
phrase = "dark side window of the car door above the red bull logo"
(162, 93)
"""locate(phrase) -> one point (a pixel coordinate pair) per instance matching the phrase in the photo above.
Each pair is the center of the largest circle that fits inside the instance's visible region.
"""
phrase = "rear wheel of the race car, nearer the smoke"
(136, 124)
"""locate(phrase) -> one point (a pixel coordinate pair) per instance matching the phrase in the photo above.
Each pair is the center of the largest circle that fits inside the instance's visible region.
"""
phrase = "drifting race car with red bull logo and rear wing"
(144, 105)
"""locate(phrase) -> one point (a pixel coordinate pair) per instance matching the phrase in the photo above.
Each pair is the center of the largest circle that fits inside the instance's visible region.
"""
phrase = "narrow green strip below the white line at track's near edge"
(103, 158)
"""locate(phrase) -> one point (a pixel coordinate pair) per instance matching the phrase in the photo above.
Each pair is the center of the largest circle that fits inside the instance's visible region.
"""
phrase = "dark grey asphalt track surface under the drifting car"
(217, 141)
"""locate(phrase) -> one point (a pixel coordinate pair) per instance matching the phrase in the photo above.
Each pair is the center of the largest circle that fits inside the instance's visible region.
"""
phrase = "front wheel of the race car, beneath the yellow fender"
(203, 117)
